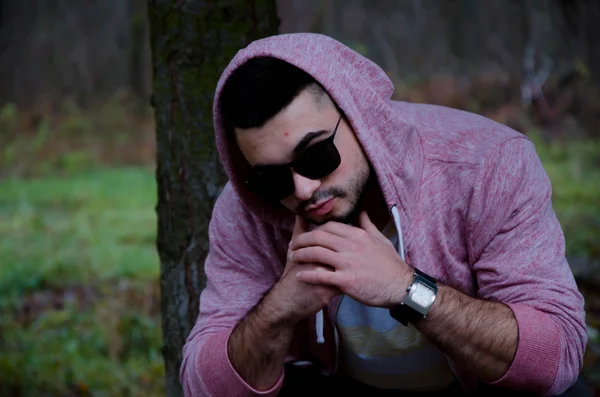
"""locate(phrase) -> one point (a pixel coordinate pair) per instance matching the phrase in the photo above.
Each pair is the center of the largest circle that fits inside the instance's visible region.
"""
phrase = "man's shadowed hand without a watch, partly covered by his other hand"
(291, 300)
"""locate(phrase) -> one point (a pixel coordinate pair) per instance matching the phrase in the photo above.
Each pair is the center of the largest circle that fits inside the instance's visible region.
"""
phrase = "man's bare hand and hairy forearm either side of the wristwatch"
(478, 334)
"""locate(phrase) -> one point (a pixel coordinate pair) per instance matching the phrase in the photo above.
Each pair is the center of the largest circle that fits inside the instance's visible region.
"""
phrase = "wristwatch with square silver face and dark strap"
(421, 295)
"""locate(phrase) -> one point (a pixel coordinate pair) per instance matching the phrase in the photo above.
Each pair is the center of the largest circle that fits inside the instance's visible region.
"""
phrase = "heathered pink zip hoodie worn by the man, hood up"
(475, 207)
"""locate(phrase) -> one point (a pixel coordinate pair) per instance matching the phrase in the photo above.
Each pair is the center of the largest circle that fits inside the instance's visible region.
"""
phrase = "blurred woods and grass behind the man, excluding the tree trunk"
(79, 304)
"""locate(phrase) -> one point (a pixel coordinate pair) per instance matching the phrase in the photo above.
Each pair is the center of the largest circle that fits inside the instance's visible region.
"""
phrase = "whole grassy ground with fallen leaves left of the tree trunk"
(60, 237)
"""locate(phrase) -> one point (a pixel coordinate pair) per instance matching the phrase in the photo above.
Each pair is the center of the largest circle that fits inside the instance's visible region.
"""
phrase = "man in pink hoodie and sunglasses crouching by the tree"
(375, 246)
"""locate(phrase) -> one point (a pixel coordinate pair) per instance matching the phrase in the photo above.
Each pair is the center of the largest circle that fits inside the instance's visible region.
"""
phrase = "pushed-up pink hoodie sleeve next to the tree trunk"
(238, 273)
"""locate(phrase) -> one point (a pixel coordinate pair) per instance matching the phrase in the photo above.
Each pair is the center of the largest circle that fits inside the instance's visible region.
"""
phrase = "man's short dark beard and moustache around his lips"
(354, 193)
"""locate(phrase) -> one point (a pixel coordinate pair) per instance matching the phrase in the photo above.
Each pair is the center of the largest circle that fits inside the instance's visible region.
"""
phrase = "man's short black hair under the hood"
(260, 88)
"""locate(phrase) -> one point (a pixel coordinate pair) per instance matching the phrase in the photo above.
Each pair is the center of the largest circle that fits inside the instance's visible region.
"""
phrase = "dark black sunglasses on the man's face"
(315, 162)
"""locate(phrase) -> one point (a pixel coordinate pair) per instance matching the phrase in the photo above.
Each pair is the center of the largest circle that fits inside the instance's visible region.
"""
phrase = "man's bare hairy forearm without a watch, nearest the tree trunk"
(257, 347)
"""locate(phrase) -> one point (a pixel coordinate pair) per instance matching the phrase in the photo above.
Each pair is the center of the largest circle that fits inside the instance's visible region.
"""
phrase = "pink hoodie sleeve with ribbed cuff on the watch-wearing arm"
(517, 251)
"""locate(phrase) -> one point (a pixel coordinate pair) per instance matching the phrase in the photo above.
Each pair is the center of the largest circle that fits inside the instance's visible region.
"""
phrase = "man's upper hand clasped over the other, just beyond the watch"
(365, 265)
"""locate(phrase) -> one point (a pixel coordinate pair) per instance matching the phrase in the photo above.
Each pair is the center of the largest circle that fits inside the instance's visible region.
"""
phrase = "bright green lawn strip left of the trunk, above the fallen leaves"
(58, 232)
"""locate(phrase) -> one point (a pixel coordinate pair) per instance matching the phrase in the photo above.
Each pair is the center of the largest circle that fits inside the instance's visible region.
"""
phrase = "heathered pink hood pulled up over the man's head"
(363, 91)
